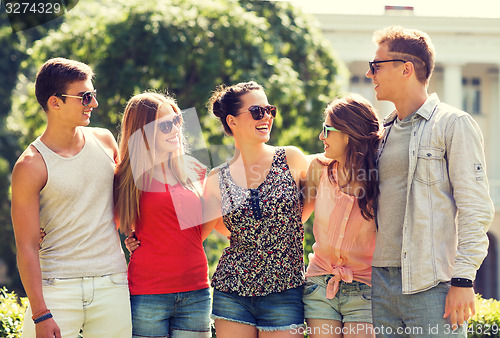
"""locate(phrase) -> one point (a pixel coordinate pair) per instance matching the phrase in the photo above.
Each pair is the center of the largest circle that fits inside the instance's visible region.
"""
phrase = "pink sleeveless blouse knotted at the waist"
(344, 239)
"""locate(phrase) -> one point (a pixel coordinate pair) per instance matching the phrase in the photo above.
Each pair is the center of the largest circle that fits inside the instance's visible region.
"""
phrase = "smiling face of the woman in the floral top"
(244, 127)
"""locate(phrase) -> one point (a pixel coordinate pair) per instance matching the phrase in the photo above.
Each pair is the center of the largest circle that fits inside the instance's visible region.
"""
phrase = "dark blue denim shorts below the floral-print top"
(273, 312)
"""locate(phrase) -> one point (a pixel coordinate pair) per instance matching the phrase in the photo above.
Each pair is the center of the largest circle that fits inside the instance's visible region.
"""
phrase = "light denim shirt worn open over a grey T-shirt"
(448, 207)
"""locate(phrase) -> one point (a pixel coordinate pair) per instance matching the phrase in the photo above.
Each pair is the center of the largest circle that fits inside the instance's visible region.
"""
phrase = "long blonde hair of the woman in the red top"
(134, 173)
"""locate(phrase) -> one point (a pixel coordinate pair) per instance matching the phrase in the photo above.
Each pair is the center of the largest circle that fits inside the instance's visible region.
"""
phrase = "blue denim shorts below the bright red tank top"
(182, 314)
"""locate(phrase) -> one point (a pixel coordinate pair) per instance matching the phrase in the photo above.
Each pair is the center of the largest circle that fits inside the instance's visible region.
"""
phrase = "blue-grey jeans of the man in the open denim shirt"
(413, 315)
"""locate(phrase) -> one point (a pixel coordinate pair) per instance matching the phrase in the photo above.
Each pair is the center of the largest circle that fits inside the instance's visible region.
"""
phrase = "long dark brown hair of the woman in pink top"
(356, 117)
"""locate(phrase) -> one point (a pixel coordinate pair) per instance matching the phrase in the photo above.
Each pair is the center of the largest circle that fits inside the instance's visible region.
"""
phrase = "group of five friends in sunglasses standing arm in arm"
(401, 210)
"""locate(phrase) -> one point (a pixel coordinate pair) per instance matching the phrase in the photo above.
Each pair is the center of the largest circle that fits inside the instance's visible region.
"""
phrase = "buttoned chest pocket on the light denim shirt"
(430, 165)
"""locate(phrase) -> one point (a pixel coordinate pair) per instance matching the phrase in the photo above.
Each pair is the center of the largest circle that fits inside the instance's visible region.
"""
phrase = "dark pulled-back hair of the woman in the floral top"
(227, 101)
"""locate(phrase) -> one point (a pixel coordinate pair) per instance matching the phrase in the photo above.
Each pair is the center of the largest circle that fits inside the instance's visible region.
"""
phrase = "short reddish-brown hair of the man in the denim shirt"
(411, 45)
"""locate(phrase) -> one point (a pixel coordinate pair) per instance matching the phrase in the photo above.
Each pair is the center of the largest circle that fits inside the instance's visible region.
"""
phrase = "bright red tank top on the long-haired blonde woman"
(170, 258)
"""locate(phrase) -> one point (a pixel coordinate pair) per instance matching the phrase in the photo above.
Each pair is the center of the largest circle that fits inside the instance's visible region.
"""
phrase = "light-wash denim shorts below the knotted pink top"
(352, 303)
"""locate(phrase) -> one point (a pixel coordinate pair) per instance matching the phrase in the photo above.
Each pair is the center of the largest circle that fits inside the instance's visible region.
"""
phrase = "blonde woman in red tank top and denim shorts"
(157, 197)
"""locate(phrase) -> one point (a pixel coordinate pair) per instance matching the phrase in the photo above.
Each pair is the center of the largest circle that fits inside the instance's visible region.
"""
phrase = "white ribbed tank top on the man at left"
(76, 213)
